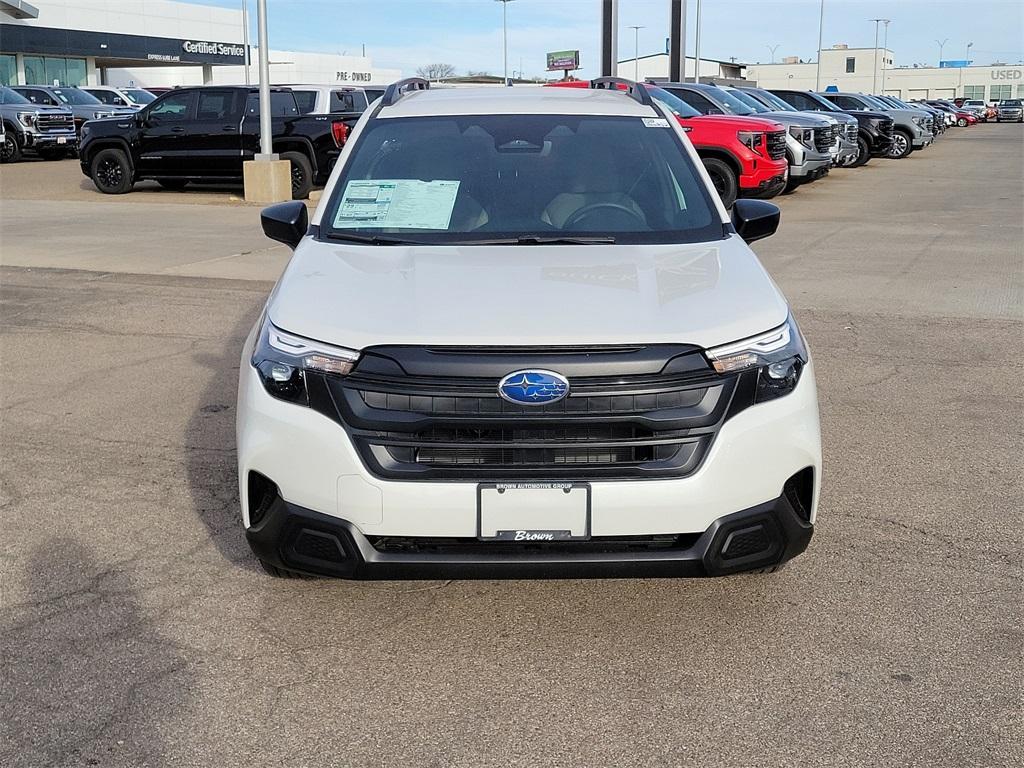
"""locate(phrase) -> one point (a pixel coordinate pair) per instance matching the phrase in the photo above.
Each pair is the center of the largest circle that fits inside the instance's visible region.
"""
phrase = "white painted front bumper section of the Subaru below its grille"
(316, 467)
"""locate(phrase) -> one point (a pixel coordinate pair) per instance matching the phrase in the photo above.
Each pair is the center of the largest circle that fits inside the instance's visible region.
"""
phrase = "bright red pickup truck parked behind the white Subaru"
(745, 157)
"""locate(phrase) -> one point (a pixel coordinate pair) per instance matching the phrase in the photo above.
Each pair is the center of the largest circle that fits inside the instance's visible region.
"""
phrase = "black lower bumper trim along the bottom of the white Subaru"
(297, 539)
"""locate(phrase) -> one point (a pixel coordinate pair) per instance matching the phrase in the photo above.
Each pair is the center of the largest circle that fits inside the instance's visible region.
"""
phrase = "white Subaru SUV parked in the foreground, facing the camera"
(523, 337)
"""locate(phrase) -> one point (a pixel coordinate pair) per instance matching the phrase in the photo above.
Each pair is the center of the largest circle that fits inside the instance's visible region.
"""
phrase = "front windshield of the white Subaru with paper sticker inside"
(472, 179)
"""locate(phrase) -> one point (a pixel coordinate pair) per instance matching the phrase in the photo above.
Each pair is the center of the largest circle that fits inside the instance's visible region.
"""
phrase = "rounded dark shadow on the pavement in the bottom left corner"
(87, 677)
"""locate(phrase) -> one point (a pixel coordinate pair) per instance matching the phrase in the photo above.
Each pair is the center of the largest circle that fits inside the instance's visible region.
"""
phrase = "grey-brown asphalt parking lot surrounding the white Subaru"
(137, 630)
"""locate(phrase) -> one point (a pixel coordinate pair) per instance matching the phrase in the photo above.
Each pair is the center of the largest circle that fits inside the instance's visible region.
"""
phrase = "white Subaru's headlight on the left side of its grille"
(283, 361)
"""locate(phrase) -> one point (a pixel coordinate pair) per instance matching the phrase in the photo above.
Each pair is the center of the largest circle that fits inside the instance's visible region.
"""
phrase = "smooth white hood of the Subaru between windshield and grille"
(359, 296)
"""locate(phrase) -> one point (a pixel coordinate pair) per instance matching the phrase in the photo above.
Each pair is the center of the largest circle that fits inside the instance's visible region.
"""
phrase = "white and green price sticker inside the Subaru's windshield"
(400, 204)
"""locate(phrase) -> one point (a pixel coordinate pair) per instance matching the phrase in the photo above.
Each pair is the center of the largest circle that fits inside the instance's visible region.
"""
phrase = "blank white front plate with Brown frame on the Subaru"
(533, 511)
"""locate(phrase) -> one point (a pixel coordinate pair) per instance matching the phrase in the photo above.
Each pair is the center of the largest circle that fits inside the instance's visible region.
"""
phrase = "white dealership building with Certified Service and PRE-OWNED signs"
(152, 44)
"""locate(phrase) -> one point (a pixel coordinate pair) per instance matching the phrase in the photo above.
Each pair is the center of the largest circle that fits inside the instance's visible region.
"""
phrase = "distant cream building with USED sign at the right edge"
(856, 70)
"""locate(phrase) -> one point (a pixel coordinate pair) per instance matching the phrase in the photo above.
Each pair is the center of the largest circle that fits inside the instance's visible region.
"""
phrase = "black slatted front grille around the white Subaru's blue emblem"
(652, 423)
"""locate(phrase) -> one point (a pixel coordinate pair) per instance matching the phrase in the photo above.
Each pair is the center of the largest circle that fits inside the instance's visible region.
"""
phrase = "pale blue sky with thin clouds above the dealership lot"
(467, 34)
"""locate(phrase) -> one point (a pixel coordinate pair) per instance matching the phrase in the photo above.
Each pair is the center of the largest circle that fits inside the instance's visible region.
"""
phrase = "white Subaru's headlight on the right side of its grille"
(779, 356)
